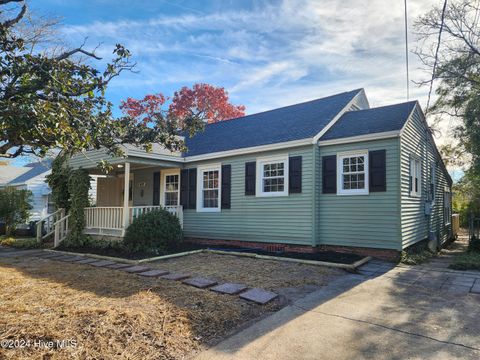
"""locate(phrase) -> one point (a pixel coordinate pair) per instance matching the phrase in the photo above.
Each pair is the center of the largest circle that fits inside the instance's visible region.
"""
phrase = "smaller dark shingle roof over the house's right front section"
(370, 121)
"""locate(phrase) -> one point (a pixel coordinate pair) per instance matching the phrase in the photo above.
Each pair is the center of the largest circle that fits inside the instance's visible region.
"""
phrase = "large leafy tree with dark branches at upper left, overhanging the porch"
(50, 100)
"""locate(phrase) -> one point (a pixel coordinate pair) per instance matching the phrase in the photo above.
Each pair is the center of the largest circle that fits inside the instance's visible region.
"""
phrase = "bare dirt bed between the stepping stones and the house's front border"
(266, 274)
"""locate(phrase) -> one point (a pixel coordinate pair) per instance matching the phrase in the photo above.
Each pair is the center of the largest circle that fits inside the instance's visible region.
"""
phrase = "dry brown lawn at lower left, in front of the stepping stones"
(111, 314)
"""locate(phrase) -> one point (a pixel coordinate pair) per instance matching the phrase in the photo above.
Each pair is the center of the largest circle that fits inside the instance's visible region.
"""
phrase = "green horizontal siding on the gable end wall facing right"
(417, 142)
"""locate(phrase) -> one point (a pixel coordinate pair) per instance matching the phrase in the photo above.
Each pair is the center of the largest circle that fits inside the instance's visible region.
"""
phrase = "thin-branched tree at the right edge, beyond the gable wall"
(450, 48)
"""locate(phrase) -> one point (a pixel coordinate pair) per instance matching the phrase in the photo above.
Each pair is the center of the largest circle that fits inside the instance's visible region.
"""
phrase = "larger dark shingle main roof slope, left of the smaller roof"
(294, 122)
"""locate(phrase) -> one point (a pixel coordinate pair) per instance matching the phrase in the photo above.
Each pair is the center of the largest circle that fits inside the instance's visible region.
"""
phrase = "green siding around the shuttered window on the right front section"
(360, 220)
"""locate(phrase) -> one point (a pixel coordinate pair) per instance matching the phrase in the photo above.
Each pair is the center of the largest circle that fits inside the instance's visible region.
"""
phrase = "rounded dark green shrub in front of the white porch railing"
(155, 232)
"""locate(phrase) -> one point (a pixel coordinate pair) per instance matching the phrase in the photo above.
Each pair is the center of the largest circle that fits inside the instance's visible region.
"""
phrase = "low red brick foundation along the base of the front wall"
(384, 254)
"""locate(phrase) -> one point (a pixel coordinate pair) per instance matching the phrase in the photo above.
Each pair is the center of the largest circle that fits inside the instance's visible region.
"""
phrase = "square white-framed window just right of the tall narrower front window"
(272, 179)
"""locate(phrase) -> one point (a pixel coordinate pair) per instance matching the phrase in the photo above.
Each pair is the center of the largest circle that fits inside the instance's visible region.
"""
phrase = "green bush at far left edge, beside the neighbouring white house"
(14, 207)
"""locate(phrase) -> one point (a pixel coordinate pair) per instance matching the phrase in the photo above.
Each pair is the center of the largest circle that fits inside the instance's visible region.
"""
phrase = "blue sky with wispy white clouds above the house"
(267, 54)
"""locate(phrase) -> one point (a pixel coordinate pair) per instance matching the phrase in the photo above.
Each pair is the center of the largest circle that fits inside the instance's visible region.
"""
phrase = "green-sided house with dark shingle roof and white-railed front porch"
(331, 173)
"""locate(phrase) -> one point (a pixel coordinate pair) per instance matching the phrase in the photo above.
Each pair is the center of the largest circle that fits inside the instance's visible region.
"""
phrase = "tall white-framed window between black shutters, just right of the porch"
(209, 188)
